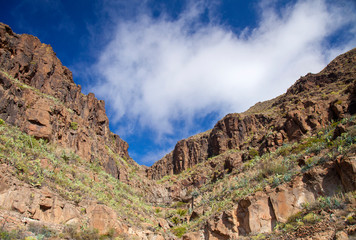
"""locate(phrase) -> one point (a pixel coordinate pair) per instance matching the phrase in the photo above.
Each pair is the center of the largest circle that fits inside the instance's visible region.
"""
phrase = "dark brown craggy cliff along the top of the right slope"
(310, 104)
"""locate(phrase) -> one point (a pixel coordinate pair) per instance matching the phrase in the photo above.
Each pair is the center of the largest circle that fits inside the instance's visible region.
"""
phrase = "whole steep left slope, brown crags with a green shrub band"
(57, 150)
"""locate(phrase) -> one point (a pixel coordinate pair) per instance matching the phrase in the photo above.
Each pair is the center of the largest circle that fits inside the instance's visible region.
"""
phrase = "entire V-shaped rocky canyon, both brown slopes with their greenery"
(284, 169)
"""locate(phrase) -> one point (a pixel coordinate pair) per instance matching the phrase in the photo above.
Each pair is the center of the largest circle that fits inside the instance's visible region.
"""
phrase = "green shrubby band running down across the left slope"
(72, 179)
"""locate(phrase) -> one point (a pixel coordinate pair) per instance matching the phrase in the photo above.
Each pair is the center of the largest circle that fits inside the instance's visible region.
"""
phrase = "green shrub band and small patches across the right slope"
(271, 169)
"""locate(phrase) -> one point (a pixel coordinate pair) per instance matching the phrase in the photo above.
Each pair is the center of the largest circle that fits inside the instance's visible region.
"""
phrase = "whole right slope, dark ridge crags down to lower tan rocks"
(272, 167)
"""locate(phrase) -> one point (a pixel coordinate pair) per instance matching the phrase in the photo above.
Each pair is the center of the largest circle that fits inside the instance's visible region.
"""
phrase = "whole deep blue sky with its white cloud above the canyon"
(171, 69)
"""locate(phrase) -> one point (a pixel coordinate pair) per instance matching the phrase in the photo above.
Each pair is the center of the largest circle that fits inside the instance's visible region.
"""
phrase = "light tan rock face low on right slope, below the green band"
(259, 212)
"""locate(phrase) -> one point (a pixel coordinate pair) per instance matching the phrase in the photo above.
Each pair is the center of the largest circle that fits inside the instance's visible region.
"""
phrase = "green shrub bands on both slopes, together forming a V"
(23, 153)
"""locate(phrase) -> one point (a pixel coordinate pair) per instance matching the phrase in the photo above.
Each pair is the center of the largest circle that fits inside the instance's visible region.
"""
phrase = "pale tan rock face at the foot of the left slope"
(46, 207)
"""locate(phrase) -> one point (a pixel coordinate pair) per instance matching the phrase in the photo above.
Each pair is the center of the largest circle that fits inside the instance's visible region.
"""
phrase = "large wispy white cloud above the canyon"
(159, 71)
